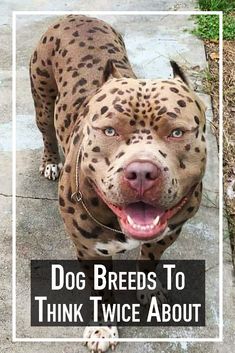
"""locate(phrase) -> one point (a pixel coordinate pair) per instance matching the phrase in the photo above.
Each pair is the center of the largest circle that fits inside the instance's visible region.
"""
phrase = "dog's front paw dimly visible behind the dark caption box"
(144, 296)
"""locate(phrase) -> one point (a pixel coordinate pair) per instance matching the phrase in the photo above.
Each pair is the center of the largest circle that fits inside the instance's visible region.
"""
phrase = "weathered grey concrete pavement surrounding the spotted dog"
(151, 42)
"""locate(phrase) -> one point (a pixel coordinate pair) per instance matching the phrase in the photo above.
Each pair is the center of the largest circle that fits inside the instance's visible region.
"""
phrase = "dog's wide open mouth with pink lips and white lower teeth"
(143, 221)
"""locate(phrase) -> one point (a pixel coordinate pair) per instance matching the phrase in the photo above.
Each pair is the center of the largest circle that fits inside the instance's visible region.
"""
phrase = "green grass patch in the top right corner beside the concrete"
(208, 25)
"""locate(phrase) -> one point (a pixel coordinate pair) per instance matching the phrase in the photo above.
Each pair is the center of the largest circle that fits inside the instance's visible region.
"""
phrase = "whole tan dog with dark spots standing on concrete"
(134, 149)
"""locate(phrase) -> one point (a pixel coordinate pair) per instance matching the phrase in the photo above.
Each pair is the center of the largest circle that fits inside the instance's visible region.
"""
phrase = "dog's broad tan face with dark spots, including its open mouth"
(144, 150)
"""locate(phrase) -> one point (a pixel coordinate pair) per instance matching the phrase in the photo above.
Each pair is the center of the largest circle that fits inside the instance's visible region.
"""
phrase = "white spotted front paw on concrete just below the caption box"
(94, 346)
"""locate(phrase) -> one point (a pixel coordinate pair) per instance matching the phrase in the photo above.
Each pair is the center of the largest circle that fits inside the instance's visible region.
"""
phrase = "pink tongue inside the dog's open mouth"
(142, 213)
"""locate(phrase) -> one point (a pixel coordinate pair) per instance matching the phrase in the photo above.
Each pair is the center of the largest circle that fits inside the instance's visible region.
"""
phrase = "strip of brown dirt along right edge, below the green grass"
(211, 84)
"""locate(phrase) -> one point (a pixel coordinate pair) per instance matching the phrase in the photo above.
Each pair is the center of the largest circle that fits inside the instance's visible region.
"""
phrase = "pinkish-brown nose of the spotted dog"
(141, 175)
